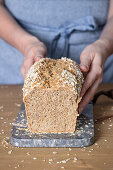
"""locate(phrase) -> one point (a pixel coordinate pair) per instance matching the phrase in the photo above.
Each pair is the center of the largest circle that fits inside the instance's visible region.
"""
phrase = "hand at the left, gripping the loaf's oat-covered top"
(34, 51)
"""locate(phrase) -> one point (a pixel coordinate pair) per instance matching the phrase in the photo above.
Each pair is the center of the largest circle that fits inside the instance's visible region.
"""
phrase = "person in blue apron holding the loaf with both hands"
(82, 31)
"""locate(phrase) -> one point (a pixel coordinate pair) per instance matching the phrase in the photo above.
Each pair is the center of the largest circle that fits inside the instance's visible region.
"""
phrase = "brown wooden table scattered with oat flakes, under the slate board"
(97, 156)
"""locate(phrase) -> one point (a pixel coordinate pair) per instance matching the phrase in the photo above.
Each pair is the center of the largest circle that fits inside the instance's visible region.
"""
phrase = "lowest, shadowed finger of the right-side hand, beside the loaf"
(88, 96)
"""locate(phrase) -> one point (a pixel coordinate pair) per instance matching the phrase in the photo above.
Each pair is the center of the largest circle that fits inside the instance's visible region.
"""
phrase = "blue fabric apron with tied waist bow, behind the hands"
(66, 27)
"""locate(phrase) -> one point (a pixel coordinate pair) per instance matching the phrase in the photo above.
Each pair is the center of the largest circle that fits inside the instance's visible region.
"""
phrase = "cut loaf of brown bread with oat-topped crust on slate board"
(51, 94)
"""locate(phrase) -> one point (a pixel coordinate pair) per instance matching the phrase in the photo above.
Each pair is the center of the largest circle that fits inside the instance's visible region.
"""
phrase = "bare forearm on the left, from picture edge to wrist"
(12, 32)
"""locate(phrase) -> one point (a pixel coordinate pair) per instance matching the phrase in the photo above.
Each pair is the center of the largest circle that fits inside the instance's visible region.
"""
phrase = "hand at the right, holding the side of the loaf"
(92, 61)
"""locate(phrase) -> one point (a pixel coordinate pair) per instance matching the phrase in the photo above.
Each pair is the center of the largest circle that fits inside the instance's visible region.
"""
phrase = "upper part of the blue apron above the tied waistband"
(51, 13)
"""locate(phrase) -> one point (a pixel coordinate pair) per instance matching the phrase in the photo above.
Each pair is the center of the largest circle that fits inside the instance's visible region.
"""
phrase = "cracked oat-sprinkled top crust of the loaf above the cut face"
(52, 73)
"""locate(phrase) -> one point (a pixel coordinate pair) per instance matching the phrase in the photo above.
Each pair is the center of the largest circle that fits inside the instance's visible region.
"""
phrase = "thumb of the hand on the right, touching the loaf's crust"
(85, 62)
